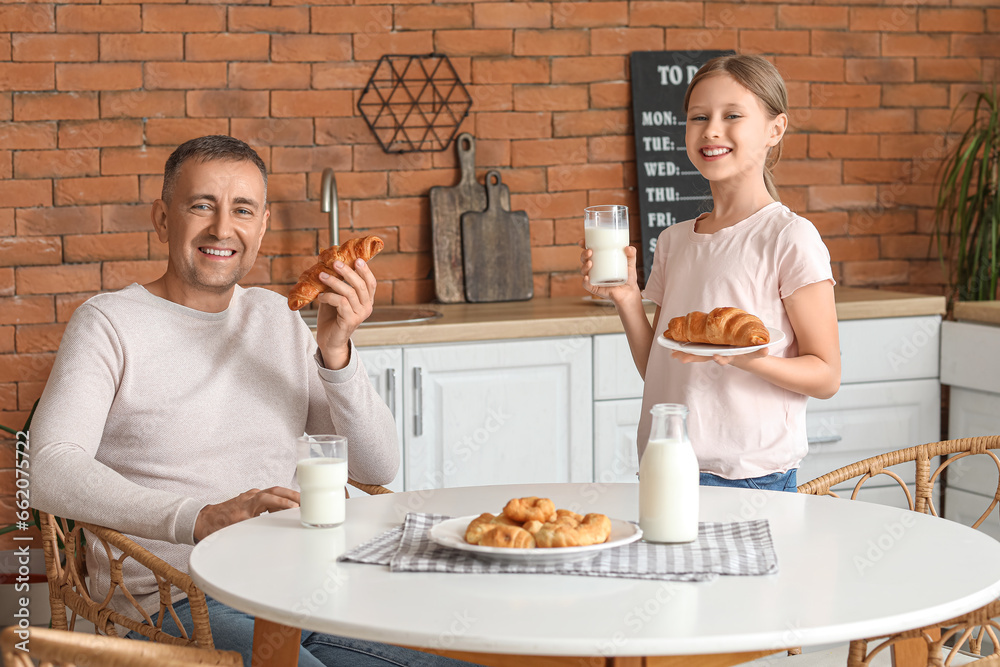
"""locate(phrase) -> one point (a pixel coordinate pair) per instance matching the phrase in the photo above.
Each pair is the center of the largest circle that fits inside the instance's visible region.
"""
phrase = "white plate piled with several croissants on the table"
(532, 530)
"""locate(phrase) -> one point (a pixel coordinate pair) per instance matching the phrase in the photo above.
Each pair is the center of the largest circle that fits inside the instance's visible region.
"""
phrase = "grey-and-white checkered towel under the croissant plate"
(737, 548)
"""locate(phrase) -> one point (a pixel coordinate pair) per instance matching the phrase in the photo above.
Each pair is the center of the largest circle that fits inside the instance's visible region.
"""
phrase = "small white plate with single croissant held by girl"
(725, 331)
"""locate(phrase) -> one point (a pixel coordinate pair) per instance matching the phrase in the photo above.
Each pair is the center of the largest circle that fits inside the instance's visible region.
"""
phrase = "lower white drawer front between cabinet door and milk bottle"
(616, 458)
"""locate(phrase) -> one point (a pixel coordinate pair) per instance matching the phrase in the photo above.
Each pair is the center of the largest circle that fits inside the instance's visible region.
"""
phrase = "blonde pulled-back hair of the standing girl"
(762, 79)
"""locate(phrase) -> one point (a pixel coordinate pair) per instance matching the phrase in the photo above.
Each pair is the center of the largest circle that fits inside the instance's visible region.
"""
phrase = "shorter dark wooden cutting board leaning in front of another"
(496, 246)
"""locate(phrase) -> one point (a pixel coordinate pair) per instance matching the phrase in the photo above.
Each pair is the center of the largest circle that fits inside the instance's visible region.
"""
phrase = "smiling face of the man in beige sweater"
(213, 223)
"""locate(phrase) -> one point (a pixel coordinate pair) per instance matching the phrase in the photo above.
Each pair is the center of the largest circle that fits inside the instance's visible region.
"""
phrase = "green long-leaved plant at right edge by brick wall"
(967, 215)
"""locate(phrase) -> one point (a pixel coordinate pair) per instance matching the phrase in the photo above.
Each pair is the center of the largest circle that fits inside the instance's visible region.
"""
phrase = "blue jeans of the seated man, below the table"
(233, 631)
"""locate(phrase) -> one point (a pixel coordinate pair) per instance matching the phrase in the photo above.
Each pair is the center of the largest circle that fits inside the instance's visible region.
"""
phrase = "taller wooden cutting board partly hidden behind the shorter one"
(447, 206)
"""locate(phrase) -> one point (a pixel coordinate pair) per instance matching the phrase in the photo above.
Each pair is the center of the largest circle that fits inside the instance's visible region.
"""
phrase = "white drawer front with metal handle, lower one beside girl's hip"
(869, 419)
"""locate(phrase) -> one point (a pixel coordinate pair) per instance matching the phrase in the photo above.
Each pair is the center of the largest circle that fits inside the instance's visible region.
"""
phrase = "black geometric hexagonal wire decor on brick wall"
(414, 103)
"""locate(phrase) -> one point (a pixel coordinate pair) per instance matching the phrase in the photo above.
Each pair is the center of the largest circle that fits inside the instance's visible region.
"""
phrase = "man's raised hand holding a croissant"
(341, 310)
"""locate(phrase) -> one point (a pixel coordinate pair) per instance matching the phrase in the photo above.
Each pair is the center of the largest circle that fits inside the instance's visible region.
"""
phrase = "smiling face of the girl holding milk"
(728, 131)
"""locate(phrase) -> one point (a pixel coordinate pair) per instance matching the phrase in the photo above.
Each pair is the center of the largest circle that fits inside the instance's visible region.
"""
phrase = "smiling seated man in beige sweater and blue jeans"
(171, 405)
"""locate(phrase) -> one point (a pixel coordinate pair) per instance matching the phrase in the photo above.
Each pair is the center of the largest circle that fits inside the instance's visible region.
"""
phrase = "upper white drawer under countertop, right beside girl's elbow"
(892, 348)
